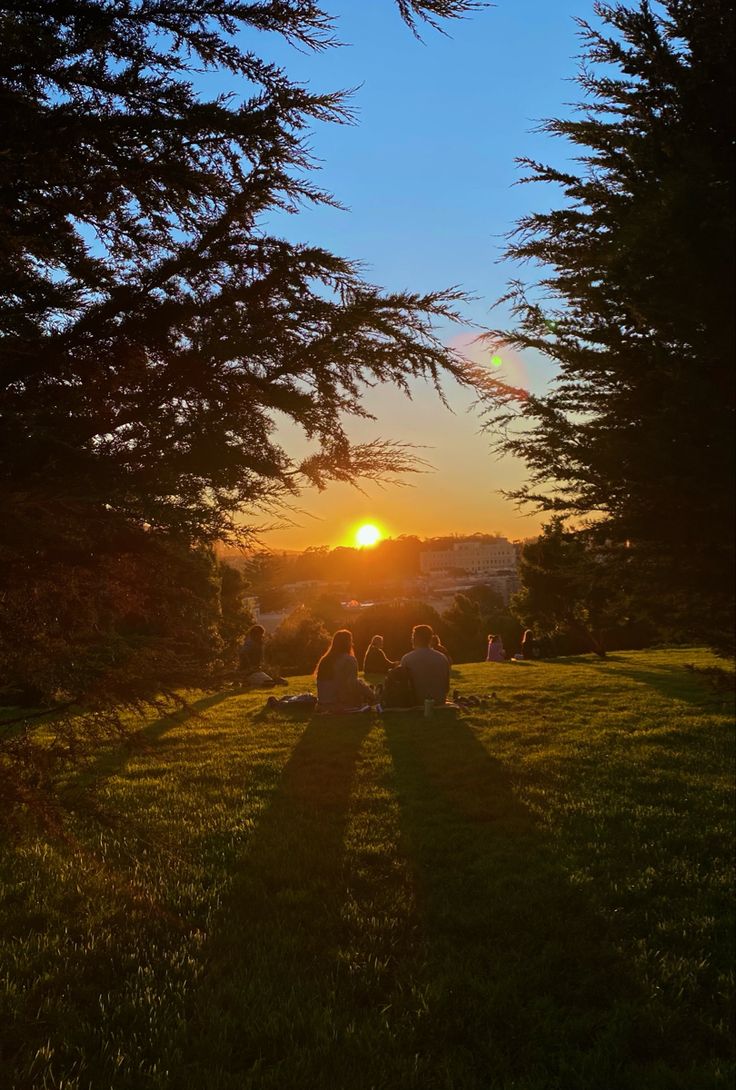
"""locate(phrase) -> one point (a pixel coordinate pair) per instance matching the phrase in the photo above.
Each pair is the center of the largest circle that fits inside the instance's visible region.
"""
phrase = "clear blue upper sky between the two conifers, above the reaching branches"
(428, 173)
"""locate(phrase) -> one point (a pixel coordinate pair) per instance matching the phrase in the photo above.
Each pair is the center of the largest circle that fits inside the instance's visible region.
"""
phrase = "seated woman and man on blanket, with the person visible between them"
(340, 688)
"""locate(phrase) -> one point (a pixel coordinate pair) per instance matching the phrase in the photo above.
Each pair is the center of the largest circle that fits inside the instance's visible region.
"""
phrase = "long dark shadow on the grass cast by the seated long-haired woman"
(270, 987)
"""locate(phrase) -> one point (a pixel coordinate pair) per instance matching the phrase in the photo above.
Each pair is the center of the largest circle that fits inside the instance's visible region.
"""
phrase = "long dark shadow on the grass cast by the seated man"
(523, 984)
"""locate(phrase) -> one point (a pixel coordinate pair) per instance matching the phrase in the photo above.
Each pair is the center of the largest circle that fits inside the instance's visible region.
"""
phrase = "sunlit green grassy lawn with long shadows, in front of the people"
(532, 897)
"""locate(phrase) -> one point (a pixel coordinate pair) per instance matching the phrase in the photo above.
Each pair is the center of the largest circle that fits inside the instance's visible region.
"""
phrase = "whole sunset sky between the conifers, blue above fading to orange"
(428, 175)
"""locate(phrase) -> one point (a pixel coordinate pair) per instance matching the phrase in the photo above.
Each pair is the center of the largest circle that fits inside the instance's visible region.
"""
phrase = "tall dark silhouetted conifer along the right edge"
(637, 433)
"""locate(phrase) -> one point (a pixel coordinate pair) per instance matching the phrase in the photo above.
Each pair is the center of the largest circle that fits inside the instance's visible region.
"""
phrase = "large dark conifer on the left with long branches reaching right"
(154, 331)
